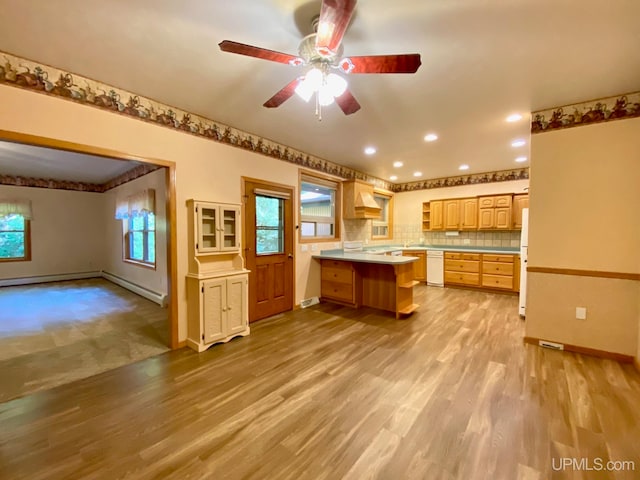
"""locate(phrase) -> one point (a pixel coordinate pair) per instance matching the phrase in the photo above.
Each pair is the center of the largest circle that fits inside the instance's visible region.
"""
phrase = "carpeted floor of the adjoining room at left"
(55, 333)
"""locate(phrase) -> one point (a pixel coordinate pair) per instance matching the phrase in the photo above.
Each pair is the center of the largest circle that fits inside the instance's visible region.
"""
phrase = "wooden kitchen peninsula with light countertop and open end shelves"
(363, 279)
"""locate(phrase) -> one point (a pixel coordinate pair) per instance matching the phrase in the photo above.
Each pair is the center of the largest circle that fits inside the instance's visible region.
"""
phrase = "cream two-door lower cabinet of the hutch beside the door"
(218, 310)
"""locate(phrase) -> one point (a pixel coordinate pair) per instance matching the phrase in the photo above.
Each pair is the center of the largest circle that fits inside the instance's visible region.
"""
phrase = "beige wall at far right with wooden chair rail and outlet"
(584, 203)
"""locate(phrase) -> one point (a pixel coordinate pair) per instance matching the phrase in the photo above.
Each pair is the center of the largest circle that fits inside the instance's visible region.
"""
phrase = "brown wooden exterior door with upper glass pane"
(268, 248)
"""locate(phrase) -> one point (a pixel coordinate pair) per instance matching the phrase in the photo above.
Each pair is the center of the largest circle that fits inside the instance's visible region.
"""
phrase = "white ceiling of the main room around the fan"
(481, 61)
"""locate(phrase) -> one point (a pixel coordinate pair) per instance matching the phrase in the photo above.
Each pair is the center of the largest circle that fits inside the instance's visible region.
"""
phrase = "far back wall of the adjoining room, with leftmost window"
(66, 232)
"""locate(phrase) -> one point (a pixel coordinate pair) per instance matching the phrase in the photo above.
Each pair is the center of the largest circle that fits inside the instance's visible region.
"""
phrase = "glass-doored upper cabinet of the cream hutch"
(216, 227)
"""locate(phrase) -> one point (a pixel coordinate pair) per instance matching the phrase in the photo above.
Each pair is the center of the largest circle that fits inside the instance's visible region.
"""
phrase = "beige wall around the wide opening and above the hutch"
(205, 170)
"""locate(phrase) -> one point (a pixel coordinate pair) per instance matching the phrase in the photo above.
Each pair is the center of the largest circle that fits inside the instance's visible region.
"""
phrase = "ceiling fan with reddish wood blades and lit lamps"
(322, 52)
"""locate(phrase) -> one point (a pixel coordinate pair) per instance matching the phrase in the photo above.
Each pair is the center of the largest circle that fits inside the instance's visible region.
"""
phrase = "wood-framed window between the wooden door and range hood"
(319, 208)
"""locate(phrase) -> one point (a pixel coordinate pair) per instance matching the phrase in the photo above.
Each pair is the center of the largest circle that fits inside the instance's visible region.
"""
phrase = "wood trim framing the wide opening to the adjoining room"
(170, 181)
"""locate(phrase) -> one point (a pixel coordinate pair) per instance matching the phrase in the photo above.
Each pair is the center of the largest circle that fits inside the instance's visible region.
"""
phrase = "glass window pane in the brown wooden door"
(269, 225)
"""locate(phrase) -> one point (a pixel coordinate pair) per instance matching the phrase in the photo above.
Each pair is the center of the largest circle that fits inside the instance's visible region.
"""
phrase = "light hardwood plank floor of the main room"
(329, 393)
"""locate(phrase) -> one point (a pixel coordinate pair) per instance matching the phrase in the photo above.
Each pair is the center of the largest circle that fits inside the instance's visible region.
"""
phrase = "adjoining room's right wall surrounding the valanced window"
(154, 280)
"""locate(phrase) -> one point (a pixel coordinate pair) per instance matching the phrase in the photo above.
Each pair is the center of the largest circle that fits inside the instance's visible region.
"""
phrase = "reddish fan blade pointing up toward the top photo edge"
(334, 20)
